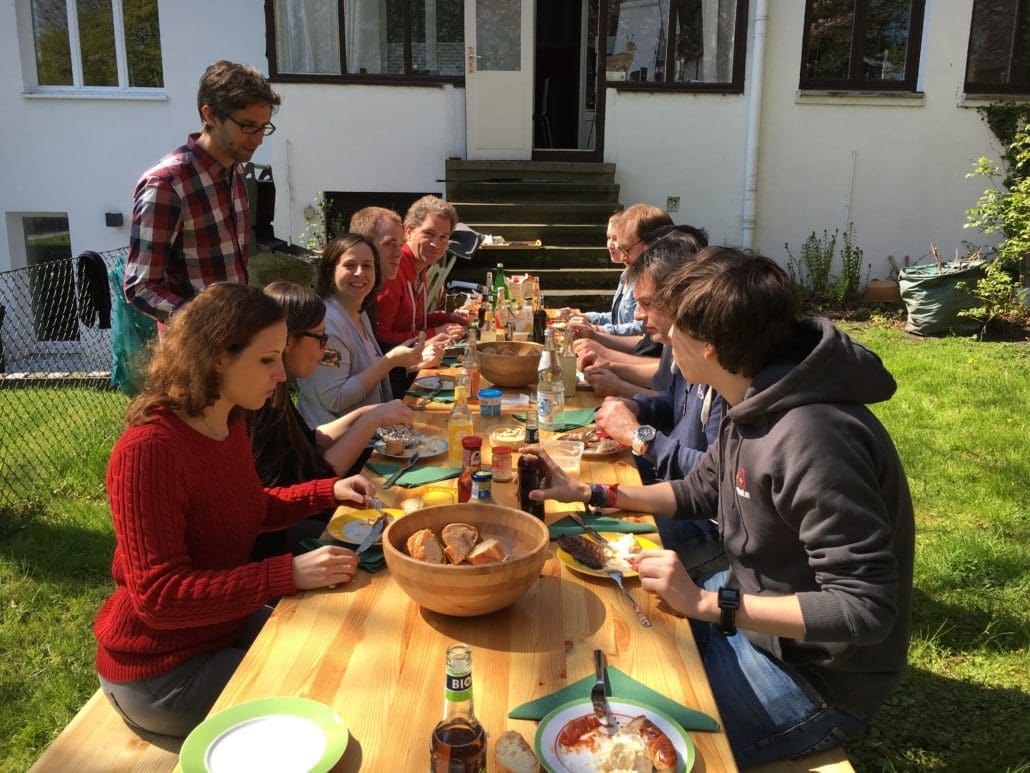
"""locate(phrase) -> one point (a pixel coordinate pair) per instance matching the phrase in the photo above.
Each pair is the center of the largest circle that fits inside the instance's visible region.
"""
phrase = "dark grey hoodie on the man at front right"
(812, 500)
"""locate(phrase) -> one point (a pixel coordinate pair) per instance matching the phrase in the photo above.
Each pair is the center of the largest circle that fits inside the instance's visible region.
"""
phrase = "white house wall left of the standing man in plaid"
(84, 156)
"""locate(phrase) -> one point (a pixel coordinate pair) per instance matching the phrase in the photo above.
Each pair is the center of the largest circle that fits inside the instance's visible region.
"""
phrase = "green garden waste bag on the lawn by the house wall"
(933, 301)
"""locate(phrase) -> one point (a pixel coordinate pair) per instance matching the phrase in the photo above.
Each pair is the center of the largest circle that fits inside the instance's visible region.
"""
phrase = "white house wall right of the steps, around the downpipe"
(910, 160)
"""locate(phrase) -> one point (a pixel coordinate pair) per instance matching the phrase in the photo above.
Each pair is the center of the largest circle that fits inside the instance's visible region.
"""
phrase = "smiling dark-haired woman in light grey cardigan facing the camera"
(348, 280)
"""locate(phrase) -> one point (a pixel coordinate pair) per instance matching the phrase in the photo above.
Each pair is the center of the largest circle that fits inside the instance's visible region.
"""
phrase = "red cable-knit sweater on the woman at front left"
(187, 512)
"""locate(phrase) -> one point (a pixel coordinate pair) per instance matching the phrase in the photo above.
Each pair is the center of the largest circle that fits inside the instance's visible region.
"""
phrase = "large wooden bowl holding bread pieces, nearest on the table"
(466, 590)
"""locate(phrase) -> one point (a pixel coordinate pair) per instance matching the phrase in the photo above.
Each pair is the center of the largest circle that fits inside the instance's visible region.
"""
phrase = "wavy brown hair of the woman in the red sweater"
(223, 319)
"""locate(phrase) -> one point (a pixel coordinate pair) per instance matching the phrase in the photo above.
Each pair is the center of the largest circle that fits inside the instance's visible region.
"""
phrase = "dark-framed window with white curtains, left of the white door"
(368, 40)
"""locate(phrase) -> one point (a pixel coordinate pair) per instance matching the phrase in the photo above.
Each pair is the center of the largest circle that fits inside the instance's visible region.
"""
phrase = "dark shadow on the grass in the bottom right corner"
(940, 724)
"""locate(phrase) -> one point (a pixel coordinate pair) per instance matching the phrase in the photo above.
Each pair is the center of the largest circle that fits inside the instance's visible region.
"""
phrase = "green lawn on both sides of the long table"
(959, 421)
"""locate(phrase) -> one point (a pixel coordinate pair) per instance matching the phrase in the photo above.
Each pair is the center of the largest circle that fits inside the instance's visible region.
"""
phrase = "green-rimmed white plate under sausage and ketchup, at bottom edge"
(625, 711)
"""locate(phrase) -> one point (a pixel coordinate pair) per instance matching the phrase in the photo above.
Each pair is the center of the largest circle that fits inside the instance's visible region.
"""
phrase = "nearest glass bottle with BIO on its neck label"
(459, 744)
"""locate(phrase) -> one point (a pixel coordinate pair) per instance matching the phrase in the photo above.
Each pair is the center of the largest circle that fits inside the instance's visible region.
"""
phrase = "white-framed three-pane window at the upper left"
(96, 45)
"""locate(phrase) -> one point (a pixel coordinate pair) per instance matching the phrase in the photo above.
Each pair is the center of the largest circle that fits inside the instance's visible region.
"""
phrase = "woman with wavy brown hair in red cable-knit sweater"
(188, 507)
